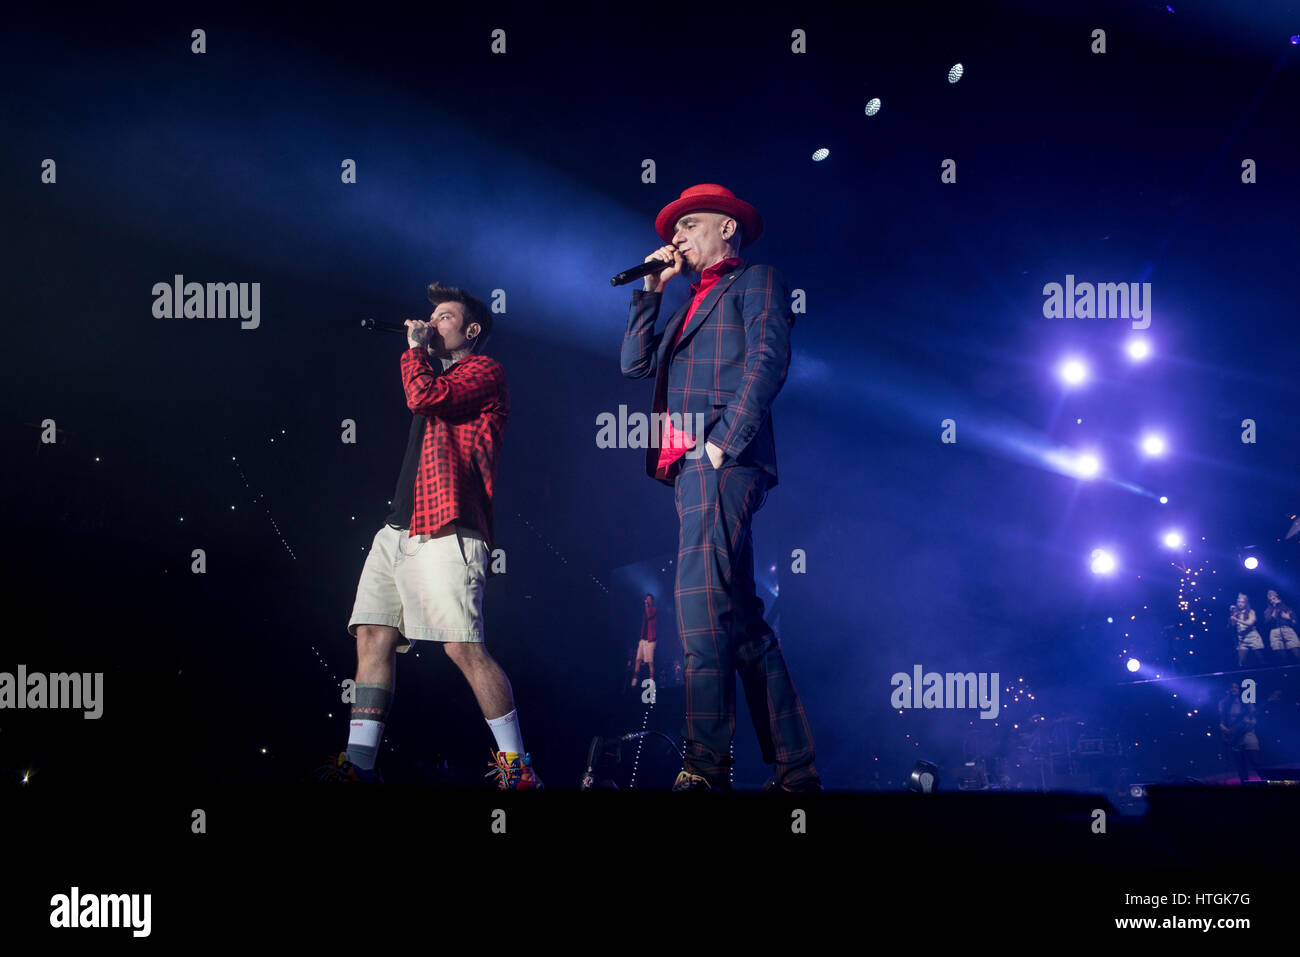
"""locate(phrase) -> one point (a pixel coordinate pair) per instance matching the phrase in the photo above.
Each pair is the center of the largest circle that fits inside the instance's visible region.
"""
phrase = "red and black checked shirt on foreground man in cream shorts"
(467, 408)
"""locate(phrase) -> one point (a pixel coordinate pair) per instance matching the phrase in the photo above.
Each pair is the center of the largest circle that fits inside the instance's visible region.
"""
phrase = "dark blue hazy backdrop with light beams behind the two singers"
(523, 172)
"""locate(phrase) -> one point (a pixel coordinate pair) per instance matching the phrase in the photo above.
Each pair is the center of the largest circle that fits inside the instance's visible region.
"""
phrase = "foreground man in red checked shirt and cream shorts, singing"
(424, 577)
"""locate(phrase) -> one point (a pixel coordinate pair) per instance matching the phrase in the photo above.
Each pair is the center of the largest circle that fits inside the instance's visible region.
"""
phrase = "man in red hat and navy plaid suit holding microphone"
(723, 356)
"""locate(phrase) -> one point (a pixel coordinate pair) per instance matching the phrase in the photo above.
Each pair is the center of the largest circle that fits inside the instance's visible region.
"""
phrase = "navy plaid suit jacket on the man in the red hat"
(730, 365)
